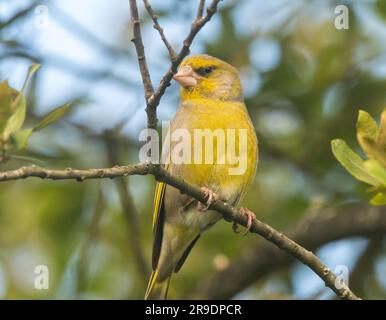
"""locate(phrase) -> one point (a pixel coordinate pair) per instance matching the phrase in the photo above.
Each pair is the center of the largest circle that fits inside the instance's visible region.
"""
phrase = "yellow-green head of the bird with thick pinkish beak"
(206, 77)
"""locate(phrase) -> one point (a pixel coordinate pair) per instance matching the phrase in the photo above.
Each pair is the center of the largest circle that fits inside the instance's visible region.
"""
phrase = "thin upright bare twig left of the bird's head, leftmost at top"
(138, 43)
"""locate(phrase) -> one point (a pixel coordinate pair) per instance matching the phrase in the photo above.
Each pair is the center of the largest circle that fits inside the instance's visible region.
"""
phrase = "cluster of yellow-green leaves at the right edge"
(372, 139)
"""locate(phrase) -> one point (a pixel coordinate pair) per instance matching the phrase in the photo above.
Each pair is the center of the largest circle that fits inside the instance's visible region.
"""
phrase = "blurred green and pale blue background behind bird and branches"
(304, 82)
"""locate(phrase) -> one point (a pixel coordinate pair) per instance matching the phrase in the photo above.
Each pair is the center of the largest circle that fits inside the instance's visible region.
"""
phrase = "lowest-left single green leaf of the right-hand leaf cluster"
(353, 163)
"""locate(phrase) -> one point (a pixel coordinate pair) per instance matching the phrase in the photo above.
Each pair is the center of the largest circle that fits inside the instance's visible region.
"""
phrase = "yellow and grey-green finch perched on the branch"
(211, 98)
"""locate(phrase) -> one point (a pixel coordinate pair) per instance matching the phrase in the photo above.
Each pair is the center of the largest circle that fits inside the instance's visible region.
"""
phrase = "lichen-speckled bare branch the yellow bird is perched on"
(229, 213)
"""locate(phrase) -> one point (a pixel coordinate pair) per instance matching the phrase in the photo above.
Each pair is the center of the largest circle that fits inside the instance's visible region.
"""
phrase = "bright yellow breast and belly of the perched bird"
(222, 151)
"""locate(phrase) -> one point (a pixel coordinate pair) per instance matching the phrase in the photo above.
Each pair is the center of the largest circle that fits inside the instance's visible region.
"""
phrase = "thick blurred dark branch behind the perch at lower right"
(262, 259)
